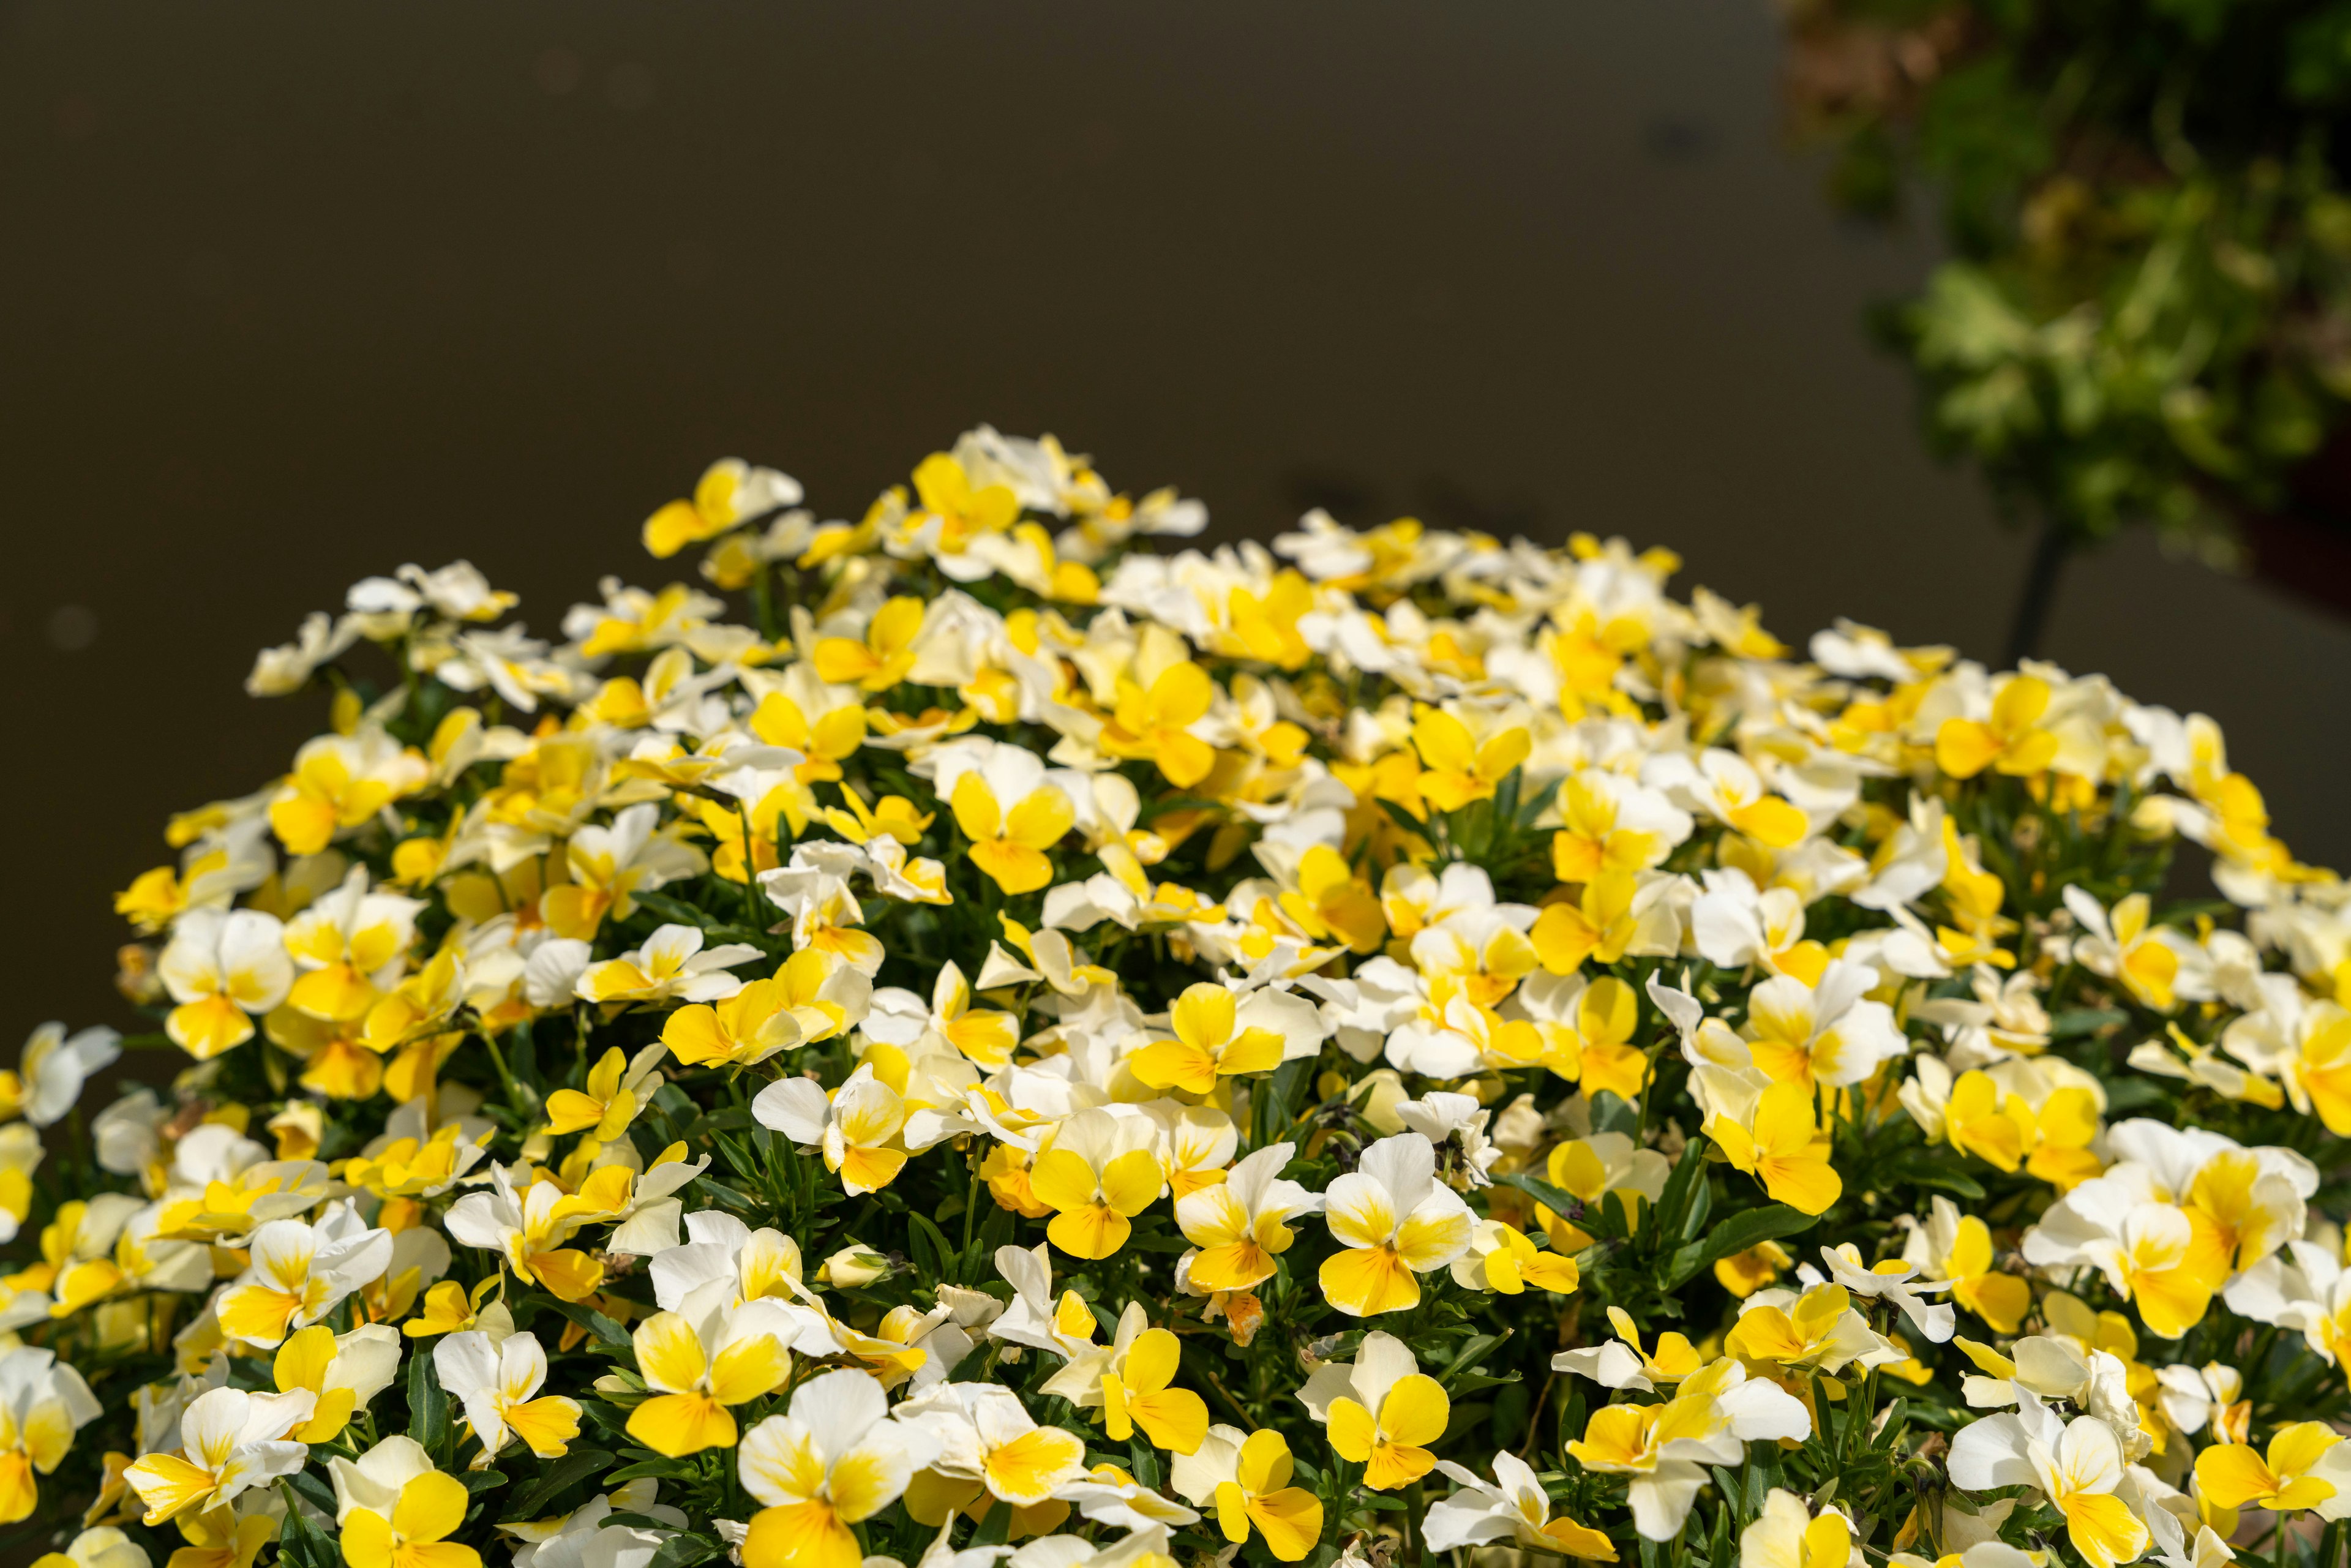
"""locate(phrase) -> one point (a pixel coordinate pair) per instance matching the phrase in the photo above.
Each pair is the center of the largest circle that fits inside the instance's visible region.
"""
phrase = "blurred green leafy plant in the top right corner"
(2148, 307)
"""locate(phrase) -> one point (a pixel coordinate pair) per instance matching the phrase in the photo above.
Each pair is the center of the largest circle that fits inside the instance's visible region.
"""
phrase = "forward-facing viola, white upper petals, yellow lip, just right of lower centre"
(1395, 1221)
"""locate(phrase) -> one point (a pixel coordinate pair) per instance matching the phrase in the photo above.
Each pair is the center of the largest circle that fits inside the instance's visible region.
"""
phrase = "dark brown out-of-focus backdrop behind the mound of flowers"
(300, 293)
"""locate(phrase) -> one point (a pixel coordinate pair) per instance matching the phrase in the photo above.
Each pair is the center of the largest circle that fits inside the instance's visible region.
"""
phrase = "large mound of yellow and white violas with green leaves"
(1036, 1045)
